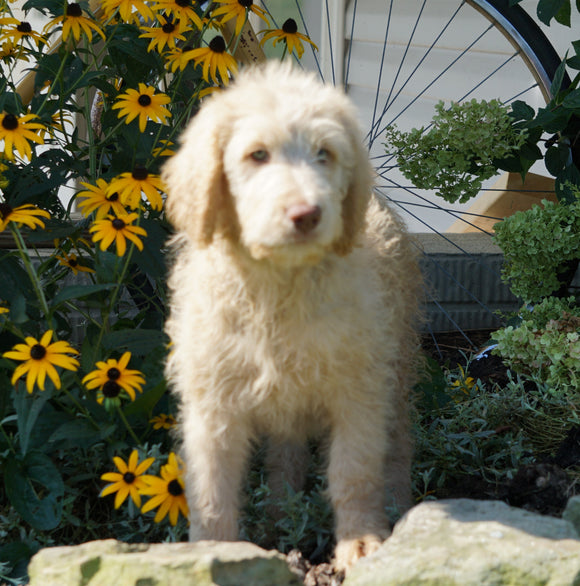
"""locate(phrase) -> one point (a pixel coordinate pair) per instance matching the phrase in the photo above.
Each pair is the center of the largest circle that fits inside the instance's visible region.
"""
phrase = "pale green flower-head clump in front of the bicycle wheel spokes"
(460, 150)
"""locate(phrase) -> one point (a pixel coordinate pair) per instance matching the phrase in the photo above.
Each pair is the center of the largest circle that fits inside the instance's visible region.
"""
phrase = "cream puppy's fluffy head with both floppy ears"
(275, 164)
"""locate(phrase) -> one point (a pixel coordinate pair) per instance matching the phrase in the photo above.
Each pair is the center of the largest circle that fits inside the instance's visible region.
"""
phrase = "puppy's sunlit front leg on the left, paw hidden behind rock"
(215, 453)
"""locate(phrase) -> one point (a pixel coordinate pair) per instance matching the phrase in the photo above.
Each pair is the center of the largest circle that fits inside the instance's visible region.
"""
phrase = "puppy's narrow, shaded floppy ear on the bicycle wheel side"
(354, 205)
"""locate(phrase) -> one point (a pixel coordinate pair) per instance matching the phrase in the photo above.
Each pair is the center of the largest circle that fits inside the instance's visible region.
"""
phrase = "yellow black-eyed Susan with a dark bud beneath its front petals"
(112, 377)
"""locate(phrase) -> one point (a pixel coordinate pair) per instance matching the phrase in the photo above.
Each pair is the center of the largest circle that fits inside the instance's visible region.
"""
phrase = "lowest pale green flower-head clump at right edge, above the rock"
(545, 346)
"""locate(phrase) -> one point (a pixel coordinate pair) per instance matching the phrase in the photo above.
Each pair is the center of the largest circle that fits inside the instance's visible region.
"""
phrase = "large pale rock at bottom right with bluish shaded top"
(473, 543)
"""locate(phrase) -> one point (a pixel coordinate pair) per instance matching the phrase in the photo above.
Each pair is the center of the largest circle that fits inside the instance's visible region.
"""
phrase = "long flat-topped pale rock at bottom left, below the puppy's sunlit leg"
(112, 563)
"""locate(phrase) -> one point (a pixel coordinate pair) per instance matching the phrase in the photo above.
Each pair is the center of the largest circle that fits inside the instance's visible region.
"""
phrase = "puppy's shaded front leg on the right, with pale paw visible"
(356, 476)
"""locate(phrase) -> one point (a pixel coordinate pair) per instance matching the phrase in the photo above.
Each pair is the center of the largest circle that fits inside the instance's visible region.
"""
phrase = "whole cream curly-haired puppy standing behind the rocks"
(293, 296)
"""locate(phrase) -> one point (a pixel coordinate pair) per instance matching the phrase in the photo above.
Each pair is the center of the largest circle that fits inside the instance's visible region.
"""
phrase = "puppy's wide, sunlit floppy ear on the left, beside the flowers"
(198, 197)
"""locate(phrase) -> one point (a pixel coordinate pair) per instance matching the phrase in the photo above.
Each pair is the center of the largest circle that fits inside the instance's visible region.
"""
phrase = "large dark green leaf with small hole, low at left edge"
(22, 480)
